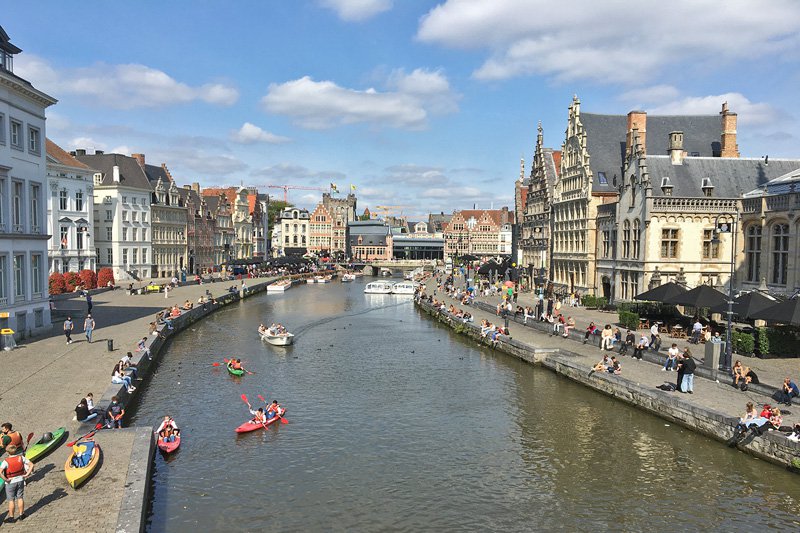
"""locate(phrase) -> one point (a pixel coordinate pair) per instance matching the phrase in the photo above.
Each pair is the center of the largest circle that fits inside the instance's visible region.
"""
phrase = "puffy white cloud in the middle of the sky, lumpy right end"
(324, 104)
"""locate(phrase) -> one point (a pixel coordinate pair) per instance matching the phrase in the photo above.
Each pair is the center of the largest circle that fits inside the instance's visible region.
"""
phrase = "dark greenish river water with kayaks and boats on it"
(397, 424)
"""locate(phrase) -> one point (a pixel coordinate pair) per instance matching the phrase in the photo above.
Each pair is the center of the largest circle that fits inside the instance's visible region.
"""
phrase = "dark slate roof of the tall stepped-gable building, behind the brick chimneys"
(605, 141)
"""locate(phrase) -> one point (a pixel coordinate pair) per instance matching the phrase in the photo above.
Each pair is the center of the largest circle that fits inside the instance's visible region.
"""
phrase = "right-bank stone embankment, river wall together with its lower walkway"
(711, 414)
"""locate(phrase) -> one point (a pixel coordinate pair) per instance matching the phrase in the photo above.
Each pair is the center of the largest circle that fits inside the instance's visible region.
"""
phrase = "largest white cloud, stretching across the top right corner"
(609, 41)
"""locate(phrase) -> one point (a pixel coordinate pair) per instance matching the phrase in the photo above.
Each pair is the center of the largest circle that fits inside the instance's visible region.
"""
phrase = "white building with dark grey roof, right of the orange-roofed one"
(122, 194)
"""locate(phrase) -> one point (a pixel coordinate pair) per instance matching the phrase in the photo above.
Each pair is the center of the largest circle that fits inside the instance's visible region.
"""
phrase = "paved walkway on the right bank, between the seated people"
(708, 394)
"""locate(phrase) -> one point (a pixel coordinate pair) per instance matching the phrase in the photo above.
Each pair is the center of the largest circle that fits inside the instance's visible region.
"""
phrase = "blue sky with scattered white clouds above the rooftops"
(427, 105)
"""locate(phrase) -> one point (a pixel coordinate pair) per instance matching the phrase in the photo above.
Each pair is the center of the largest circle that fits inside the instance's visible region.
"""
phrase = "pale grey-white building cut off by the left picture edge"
(23, 184)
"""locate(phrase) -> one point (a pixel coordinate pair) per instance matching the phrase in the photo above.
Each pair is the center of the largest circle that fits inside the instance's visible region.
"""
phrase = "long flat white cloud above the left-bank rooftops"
(125, 86)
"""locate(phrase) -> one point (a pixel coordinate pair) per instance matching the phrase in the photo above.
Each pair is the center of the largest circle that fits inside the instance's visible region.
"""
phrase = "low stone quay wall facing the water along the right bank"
(770, 447)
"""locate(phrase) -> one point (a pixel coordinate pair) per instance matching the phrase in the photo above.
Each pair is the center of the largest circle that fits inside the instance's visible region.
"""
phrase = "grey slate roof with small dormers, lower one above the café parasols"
(730, 177)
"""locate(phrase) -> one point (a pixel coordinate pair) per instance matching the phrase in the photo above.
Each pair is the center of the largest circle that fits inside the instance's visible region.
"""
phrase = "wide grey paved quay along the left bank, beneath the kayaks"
(43, 380)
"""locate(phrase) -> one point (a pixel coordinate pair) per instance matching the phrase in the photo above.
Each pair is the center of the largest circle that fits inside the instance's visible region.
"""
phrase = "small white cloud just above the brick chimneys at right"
(750, 113)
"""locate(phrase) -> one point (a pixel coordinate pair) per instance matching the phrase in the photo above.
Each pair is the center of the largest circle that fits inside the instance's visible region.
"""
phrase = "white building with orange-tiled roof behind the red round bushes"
(70, 214)
